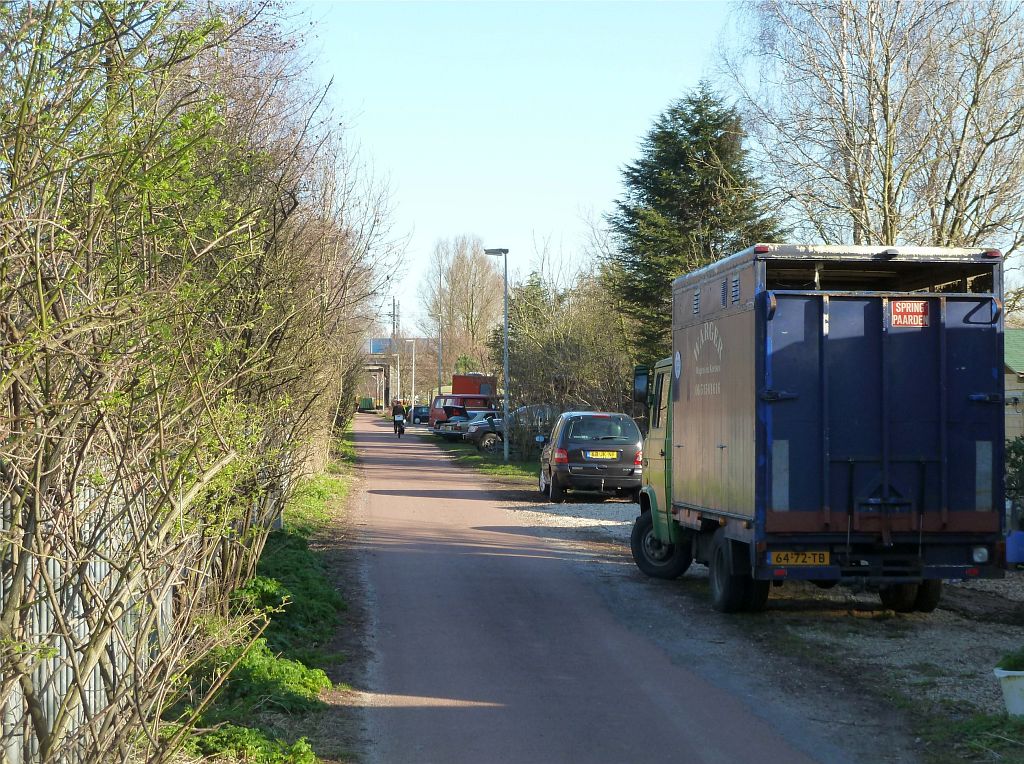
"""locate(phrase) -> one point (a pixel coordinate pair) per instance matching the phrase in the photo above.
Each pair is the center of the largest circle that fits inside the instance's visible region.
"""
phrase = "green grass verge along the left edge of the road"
(279, 678)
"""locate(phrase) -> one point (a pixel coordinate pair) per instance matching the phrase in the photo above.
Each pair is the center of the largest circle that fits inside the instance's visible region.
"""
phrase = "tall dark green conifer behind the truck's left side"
(691, 199)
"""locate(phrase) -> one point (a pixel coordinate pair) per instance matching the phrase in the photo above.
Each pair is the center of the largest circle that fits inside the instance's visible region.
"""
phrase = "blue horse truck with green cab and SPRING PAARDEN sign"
(829, 414)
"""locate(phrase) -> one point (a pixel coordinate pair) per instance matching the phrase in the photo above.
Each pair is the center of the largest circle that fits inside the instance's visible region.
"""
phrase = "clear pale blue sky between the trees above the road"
(510, 121)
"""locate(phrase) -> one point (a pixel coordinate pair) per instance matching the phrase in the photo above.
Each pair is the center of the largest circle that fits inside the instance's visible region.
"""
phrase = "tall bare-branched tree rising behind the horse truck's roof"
(888, 122)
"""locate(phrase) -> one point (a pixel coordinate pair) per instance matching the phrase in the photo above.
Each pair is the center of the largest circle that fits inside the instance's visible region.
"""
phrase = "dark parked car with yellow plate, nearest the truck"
(591, 451)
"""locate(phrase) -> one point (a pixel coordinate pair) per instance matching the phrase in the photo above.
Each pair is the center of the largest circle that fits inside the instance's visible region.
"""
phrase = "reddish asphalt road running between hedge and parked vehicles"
(495, 642)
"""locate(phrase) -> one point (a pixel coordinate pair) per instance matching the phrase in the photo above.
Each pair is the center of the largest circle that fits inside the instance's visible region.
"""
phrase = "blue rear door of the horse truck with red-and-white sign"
(882, 413)
